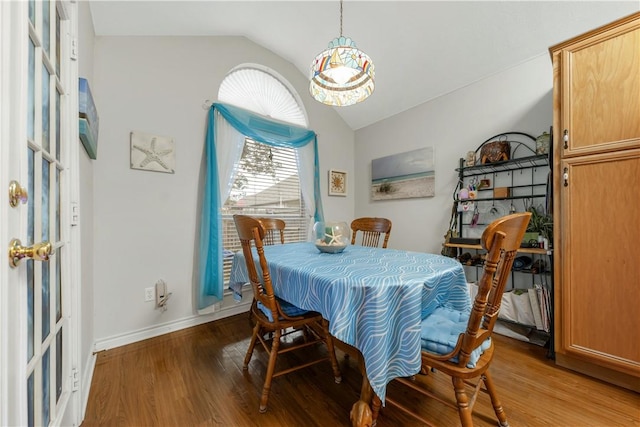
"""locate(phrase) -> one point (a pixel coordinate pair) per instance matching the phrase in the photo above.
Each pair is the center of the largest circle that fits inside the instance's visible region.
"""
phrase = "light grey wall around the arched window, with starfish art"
(145, 222)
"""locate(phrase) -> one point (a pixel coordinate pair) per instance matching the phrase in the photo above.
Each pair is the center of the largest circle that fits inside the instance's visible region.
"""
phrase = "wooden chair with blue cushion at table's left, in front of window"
(275, 316)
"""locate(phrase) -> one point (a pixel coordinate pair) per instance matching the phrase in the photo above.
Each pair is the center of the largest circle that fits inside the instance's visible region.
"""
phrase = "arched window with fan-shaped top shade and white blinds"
(266, 183)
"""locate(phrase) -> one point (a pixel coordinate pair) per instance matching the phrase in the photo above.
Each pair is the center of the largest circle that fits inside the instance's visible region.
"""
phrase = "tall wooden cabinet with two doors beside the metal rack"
(596, 174)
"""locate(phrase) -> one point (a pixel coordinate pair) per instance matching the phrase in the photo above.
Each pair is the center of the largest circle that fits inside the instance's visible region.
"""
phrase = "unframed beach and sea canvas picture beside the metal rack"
(403, 176)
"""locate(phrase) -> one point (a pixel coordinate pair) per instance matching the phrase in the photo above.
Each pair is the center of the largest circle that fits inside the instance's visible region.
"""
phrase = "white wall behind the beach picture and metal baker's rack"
(517, 99)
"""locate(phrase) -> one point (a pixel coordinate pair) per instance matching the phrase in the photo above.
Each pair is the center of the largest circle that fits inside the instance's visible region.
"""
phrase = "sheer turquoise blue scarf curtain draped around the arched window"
(258, 128)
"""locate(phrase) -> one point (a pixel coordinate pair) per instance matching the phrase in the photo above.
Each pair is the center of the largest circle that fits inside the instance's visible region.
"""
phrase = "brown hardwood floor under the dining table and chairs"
(194, 377)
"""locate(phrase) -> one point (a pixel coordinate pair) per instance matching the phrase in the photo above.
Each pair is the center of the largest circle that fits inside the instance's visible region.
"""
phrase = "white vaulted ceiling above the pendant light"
(421, 49)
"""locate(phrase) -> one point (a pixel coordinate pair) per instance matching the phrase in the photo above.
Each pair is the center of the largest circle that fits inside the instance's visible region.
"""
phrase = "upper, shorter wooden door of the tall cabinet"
(601, 94)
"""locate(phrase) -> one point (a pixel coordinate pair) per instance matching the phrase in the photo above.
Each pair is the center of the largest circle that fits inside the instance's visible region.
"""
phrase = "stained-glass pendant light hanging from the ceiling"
(343, 74)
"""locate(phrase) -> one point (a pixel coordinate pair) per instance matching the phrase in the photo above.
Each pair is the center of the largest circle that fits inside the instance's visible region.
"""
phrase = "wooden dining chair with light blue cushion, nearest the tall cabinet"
(458, 343)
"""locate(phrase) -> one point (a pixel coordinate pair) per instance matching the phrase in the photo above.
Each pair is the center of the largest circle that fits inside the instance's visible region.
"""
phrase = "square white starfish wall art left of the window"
(152, 152)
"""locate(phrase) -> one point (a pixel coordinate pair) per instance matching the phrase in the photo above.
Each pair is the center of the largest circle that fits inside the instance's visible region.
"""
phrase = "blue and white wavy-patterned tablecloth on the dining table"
(374, 299)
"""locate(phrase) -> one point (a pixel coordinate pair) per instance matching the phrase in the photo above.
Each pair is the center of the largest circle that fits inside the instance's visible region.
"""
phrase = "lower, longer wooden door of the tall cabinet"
(600, 259)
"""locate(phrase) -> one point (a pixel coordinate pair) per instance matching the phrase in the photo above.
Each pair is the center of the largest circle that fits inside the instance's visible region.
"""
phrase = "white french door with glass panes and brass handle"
(38, 83)
